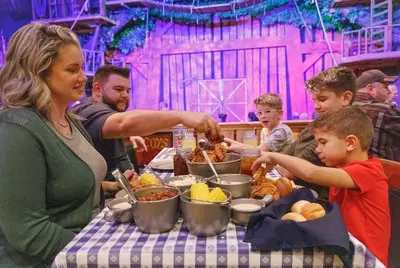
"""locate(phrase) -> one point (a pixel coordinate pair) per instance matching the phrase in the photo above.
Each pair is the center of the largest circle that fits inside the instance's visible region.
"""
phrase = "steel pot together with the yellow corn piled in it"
(206, 211)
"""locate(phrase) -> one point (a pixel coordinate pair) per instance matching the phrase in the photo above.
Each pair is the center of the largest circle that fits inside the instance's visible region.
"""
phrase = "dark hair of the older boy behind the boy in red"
(335, 79)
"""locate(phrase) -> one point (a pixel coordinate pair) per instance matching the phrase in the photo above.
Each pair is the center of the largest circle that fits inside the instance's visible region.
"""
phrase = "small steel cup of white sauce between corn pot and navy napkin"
(241, 216)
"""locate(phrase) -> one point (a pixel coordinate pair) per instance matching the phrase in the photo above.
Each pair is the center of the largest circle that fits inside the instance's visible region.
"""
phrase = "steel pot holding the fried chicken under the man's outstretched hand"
(231, 165)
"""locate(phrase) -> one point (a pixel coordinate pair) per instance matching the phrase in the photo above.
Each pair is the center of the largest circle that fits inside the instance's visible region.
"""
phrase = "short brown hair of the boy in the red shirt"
(345, 122)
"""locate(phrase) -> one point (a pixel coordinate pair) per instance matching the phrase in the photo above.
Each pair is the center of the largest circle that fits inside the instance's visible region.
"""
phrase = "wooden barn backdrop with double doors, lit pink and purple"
(221, 67)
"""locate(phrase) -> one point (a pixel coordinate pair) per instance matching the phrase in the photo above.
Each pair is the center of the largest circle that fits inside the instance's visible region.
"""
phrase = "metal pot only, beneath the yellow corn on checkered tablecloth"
(205, 219)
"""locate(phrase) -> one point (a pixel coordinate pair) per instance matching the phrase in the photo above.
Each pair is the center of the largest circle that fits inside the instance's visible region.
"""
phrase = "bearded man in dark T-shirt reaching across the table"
(108, 122)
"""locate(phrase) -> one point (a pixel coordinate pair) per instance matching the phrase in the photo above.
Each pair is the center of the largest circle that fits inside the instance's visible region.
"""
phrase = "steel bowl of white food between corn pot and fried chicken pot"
(237, 184)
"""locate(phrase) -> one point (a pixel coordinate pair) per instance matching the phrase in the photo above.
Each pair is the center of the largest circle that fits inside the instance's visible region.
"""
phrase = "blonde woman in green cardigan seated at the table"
(50, 174)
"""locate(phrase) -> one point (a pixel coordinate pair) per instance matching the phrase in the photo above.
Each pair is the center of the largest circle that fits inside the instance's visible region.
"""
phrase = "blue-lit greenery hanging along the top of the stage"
(131, 31)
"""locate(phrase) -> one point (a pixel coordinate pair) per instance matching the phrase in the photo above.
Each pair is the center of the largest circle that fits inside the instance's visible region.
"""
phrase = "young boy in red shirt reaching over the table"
(358, 182)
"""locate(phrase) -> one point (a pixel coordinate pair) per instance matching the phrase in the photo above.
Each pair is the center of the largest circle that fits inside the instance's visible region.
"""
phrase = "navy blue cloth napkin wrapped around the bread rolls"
(265, 230)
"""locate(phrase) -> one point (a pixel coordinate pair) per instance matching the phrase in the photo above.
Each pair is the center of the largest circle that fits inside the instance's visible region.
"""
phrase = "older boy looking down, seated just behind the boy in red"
(331, 90)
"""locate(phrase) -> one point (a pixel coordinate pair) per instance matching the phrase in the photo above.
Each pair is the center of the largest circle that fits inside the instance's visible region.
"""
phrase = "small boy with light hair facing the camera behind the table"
(275, 136)
